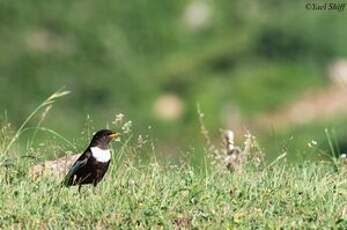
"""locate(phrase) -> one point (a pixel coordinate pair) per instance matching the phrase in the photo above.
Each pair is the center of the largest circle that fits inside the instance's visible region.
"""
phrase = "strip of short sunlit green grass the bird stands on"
(164, 195)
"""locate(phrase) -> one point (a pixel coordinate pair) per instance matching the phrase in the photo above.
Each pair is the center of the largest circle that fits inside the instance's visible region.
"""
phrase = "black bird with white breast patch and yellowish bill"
(92, 165)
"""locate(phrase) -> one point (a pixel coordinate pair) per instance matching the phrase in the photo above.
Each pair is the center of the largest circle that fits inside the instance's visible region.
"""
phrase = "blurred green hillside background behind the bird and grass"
(242, 61)
